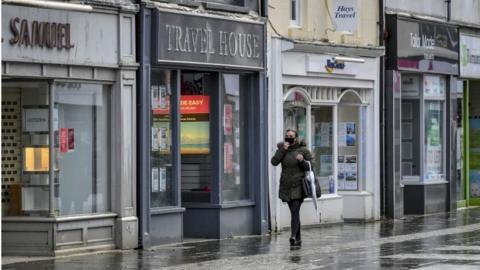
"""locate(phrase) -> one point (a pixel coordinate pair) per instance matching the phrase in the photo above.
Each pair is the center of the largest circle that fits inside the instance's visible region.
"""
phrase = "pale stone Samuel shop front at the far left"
(67, 129)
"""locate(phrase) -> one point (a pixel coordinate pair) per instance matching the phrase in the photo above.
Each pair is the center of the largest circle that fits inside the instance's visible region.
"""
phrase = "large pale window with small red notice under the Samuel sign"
(83, 138)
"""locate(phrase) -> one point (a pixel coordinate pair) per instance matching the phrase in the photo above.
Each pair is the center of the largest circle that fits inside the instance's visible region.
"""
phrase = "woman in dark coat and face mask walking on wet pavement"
(292, 154)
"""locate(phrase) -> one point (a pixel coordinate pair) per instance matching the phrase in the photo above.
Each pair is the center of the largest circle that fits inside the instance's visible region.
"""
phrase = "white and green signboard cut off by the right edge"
(469, 56)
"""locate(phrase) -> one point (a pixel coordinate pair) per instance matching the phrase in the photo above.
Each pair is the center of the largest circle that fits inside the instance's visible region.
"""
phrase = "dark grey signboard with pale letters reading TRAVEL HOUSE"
(185, 38)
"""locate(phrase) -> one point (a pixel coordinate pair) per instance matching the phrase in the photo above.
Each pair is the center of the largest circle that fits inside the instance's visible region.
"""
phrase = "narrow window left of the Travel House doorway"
(162, 185)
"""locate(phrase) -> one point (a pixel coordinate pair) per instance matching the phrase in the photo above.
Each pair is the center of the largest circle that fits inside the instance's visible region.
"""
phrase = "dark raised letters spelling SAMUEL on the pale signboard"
(40, 34)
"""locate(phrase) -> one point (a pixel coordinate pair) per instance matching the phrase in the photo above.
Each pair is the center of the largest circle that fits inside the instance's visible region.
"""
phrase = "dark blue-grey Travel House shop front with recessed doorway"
(202, 125)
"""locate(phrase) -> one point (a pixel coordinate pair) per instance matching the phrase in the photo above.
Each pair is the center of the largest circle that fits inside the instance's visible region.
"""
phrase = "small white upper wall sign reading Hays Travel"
(344, 14)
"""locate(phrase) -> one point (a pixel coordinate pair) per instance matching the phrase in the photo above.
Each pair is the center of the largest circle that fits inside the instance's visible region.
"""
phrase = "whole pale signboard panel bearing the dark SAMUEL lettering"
(59, 36)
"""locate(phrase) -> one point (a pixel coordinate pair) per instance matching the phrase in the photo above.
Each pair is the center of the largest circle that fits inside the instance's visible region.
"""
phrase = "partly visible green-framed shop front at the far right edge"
(468, 184)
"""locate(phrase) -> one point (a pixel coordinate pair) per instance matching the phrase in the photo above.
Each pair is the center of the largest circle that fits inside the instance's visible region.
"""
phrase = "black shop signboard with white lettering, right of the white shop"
(422, 46)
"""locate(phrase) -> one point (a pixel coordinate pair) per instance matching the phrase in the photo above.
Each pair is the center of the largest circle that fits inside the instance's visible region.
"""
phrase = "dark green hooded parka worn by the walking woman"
(293, 171)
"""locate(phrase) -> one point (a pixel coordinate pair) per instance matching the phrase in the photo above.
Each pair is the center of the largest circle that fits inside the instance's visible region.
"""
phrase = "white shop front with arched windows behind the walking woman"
(332, 101)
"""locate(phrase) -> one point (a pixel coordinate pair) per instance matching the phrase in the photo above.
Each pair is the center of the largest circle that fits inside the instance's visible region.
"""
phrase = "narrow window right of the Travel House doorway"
(234, 184)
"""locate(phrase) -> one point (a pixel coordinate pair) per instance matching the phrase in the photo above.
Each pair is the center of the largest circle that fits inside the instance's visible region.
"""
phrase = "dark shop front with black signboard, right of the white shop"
(420, 116)
